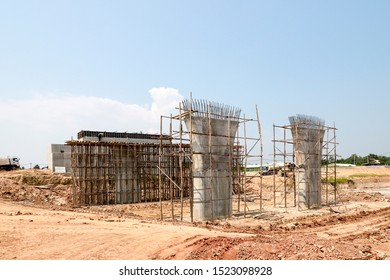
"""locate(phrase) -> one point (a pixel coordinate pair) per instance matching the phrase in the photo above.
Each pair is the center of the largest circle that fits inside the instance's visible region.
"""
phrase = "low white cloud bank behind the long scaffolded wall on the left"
(29, 126)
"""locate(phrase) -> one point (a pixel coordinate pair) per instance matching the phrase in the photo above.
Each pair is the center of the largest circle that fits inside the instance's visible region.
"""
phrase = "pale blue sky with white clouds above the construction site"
(72, 65)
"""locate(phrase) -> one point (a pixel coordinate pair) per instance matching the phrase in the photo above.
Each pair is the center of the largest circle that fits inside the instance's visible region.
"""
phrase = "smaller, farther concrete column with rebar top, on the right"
(308, 133)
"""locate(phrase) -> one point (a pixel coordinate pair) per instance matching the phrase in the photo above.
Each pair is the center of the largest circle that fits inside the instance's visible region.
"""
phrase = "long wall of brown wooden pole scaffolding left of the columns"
(117, 173)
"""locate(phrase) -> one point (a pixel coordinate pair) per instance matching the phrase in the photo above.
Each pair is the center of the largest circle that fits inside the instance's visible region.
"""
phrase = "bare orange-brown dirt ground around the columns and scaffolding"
(37, 221)
